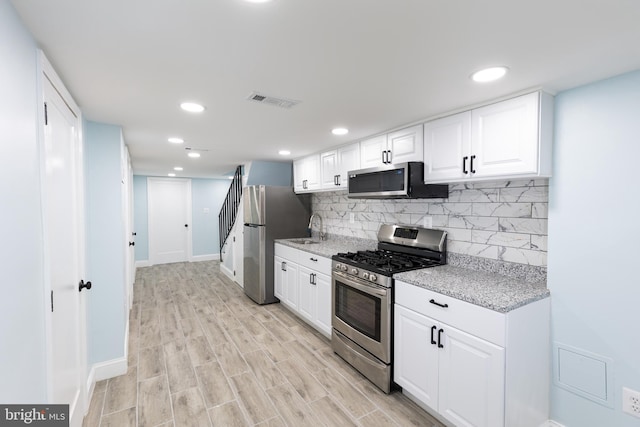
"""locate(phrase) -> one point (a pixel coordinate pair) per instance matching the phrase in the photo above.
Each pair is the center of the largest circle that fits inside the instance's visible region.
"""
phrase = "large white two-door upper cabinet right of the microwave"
(507, 139)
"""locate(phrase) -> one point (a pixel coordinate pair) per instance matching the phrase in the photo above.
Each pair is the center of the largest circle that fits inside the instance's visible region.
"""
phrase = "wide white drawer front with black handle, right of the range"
(481, 322)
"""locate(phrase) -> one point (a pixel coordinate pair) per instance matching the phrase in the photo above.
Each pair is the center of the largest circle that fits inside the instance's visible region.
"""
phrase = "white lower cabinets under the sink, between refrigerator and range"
(302, 282)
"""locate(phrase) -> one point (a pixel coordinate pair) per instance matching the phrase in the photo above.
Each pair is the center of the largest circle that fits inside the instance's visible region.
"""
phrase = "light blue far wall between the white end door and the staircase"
(207, 194)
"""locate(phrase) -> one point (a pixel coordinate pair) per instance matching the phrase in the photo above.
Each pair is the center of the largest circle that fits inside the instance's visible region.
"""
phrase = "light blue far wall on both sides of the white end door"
(205, 194)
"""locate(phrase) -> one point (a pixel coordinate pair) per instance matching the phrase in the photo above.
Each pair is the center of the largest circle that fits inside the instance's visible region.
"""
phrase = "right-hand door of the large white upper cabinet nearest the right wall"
(505, 137)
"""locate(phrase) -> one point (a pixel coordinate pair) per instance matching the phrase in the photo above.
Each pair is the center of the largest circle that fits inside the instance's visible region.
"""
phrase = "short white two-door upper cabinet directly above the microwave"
(405, 145)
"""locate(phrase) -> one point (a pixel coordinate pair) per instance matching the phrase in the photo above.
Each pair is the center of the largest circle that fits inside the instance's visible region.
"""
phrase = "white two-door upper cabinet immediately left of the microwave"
(336, 164)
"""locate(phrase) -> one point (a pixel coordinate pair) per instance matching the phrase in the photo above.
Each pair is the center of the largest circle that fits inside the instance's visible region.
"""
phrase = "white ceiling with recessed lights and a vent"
(368, 65)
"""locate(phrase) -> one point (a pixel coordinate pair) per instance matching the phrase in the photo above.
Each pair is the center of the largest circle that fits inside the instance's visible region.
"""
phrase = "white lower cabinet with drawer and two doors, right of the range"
(444, 360)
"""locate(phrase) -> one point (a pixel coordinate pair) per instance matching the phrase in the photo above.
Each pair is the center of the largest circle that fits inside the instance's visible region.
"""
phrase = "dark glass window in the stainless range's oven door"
(358, 309)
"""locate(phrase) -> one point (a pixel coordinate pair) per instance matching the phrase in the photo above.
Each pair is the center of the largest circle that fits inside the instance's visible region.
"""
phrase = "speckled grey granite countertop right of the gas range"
(488, 290)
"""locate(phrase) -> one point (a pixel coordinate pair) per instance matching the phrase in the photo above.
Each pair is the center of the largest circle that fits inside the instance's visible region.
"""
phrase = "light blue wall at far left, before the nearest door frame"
(22, 305)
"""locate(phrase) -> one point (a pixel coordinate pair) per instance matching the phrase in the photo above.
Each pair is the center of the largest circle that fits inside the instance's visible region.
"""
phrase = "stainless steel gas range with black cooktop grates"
(362, 296)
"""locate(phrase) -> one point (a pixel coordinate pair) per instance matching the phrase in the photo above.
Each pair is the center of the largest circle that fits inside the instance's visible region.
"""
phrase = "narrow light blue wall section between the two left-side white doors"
(106, 316)
